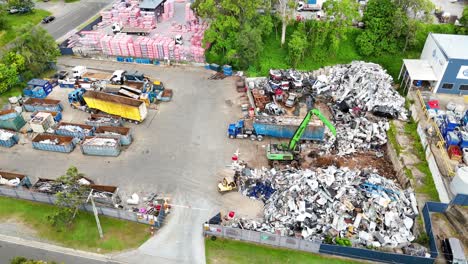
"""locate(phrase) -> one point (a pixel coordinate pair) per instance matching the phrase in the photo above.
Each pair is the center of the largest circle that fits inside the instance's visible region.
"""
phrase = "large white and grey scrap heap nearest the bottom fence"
(365, 207)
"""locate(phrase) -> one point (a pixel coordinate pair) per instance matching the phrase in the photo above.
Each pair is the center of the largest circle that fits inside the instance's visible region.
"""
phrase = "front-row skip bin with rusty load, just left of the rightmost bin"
(54, 143)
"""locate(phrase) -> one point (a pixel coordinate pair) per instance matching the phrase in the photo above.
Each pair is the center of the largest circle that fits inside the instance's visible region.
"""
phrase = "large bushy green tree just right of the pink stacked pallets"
(236, 28)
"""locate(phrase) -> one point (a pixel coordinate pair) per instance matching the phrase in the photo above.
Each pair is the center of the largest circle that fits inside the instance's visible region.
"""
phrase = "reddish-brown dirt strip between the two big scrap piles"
(360, 160)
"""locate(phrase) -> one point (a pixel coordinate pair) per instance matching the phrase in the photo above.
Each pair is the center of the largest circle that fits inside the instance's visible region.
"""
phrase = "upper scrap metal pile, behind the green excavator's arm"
(358, 89)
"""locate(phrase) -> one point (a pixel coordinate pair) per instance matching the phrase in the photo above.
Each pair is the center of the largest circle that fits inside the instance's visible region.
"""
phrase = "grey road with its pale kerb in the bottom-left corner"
(11, 247)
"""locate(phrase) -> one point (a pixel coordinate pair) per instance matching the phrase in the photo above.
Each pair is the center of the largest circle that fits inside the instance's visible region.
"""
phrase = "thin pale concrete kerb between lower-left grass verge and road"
(57, 249)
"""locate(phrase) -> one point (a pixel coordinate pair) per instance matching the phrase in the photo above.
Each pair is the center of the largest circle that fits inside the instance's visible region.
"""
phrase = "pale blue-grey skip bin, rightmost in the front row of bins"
(101, 146)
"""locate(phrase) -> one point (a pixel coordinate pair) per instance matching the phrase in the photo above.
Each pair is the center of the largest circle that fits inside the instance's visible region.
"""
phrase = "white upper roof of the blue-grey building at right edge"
(454, 46)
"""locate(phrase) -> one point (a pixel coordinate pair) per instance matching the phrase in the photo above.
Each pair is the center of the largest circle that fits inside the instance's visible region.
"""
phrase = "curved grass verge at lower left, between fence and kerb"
(118, 234)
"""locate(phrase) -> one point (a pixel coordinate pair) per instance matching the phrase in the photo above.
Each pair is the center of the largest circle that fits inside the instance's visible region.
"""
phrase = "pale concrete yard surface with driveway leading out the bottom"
(178, 151)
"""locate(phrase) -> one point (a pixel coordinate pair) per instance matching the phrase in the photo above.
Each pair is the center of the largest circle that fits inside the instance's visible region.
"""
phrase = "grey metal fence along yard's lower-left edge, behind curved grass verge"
(111, 212)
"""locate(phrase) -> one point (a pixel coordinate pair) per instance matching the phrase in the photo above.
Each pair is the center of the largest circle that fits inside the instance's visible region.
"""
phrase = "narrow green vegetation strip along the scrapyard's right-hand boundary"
(428, 186)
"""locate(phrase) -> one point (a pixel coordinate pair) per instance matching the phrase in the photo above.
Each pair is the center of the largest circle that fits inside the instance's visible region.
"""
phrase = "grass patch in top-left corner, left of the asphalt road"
(16, 21)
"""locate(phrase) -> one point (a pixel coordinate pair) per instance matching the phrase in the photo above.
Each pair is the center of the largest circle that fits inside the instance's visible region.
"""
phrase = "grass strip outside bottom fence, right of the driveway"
(230, 251)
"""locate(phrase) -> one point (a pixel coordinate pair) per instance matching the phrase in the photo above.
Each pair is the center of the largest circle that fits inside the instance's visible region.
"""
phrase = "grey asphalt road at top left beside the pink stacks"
(70, 15)
